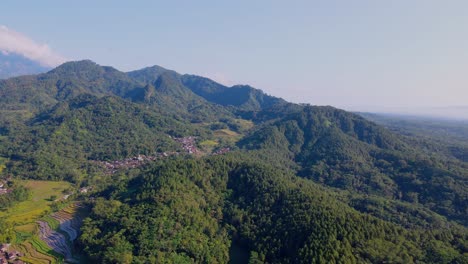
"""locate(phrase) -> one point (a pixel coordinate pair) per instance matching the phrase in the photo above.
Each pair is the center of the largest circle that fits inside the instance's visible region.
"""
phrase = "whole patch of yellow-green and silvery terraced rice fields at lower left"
(44, 239)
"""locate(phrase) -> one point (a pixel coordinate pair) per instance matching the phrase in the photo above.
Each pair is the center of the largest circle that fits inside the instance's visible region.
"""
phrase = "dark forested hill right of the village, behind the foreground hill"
(346, 151)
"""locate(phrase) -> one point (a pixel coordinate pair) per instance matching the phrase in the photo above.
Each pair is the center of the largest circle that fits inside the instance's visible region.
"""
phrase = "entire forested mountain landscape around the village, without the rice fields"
(184, 169)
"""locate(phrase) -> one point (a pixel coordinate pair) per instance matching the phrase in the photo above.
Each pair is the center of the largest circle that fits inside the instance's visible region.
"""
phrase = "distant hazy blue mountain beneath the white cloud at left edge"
(12, 65)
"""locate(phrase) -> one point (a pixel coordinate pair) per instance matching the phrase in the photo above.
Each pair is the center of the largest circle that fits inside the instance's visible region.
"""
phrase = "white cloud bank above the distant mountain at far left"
(14, 42)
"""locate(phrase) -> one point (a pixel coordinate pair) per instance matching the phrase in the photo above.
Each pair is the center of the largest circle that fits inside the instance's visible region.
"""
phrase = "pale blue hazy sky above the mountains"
(360, 55)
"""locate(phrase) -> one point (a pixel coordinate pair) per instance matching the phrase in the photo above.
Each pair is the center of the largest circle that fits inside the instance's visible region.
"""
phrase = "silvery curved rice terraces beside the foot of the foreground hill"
(61, 240)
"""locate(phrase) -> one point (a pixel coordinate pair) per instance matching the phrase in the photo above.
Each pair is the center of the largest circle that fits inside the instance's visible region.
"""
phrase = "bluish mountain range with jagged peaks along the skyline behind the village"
(153, 86)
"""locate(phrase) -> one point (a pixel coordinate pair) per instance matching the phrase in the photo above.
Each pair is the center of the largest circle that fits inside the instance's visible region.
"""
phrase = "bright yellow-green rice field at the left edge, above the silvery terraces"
(24, 214)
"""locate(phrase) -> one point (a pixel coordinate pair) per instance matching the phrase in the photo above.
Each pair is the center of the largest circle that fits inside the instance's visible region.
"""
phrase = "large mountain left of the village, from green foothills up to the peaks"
(100, 113)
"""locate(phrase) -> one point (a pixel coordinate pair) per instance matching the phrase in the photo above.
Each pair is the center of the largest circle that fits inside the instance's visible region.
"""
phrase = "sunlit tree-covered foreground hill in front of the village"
(195, 210)
